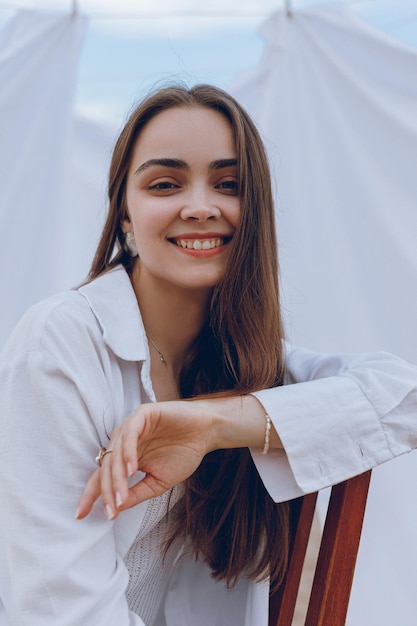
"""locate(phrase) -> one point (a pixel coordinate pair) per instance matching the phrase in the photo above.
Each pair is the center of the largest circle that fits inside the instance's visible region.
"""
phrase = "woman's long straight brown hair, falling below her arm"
(229, 517)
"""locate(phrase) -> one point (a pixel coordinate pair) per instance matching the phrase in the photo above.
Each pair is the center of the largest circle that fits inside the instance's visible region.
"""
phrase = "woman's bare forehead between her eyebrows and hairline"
(188, 132)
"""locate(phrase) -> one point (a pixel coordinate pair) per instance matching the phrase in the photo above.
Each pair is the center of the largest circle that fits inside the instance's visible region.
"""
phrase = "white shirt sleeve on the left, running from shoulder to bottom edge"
(55, 570)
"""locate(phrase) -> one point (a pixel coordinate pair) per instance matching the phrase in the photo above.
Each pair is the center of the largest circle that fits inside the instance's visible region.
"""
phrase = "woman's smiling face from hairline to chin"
(182, 198)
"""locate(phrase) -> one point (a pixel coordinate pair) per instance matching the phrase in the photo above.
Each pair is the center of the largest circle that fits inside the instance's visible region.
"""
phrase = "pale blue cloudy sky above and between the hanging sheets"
(131, 45)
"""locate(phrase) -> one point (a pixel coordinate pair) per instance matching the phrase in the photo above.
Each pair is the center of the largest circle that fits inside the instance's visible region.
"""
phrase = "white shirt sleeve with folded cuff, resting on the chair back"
(337, 416)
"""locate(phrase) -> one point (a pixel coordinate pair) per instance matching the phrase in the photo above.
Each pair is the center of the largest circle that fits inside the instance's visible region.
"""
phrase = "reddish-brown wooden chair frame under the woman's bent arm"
(335, 567)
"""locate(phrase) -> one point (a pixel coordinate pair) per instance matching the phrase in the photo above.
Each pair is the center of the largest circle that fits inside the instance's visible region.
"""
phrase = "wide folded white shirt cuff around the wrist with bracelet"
(329, 431)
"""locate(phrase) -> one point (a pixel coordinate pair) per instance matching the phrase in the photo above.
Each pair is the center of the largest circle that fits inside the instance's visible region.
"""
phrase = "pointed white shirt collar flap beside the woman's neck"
(113, 301)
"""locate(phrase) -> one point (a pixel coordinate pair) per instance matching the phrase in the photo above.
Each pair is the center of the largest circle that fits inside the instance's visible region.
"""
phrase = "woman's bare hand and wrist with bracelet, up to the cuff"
(167, 441)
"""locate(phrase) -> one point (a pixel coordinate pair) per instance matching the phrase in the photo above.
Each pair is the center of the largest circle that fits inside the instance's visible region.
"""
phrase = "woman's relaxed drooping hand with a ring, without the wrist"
(166, 441)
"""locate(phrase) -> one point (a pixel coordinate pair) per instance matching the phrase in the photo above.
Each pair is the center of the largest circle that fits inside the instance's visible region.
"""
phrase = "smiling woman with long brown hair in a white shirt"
(182, 301)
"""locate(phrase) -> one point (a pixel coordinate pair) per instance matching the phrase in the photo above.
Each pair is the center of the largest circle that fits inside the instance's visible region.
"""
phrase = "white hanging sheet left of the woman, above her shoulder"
(38, 56)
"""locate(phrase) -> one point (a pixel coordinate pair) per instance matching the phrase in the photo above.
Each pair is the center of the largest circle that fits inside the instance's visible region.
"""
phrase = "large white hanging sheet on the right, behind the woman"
(337, 104)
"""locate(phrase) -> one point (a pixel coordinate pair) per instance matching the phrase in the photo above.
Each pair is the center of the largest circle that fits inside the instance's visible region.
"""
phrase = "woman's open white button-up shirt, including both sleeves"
(76, 366)
